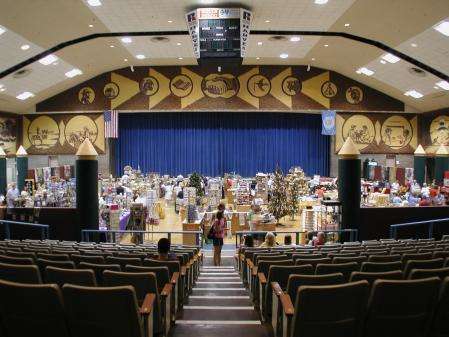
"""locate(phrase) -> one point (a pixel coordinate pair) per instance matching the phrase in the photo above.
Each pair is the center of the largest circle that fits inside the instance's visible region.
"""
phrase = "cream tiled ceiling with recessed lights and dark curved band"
(42, 24)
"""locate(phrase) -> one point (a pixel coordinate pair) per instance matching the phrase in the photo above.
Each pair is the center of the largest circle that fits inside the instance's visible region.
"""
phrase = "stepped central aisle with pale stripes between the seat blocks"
(219, 304)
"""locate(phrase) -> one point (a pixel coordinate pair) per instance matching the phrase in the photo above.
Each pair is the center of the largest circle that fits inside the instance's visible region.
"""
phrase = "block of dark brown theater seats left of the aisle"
(87, 275)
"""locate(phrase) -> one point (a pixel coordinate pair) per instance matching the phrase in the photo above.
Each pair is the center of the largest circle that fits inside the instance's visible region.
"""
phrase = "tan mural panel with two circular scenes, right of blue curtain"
(378, 133)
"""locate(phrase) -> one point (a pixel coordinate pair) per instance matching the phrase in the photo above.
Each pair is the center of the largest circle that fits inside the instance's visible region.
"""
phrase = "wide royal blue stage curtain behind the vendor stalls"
(214, 143)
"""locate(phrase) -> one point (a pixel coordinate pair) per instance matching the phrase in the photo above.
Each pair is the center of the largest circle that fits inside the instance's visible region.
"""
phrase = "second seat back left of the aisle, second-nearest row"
(60, 276)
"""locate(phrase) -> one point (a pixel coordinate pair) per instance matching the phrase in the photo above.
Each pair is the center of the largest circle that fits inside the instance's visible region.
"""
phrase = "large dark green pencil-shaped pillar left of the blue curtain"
(87, 185)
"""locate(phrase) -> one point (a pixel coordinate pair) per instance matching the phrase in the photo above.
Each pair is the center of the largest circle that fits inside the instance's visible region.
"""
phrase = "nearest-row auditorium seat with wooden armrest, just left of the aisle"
(93, 312)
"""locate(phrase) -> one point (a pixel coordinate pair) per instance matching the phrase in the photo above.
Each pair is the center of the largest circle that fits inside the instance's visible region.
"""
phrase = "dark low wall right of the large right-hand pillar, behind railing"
(375, 221)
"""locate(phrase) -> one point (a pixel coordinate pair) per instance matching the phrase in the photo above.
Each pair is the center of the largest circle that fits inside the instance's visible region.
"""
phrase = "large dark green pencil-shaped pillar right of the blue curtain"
(349, 174)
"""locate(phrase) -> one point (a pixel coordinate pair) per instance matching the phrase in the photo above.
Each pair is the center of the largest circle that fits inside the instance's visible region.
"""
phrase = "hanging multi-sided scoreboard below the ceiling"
(219, 32)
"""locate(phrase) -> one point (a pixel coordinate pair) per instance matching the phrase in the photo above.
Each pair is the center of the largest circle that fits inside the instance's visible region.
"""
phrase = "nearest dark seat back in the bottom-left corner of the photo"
(30, 310)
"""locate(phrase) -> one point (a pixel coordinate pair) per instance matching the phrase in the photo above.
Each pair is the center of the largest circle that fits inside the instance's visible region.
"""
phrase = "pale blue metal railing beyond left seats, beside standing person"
(111, 235)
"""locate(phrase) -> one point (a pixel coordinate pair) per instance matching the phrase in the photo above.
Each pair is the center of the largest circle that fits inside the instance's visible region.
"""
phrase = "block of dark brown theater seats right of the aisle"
(275, 278)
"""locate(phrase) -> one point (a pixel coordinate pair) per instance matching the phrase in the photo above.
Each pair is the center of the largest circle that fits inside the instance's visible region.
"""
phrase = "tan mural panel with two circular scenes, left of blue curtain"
(61, 133)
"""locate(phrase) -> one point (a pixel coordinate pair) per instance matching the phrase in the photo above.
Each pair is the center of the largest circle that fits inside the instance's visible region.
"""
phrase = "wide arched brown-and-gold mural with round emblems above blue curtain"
(199, 88)
